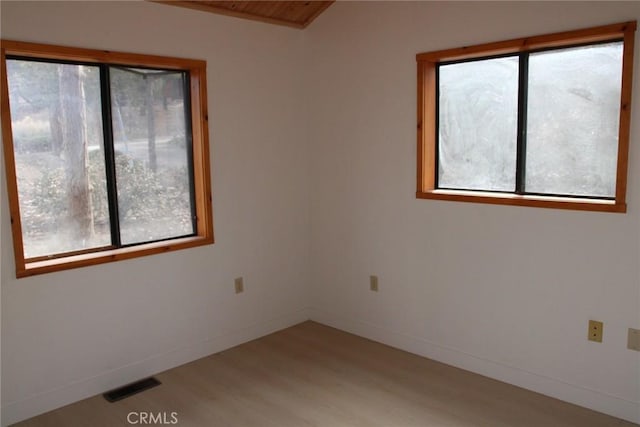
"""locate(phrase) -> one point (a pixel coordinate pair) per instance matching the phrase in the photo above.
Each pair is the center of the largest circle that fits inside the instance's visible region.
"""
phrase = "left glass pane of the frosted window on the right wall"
(477, 122)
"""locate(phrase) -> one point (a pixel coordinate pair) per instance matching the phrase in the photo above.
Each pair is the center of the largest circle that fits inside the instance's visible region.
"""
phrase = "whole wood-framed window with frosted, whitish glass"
(541, 121)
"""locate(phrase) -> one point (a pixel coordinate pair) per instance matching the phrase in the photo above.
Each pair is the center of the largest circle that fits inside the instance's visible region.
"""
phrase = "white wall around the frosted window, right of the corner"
(503, 291)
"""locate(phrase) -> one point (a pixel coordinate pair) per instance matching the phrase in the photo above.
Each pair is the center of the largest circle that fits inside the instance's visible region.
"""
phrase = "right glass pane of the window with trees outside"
(152, 146)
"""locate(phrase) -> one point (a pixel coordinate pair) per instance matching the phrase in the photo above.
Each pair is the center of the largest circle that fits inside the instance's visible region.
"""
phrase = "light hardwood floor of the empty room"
(313, 375)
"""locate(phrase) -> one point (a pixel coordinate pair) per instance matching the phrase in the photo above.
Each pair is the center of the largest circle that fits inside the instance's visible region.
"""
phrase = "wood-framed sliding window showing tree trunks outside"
(106, 155)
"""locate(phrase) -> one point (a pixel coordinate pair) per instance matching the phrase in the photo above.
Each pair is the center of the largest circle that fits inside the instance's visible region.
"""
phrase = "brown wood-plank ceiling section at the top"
(296, 14)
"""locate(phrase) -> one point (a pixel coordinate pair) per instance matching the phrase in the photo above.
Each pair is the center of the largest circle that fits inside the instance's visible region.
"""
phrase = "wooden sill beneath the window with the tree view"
(58, 264)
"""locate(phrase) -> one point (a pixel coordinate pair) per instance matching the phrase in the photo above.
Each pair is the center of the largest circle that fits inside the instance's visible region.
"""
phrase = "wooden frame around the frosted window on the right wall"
(427, 163)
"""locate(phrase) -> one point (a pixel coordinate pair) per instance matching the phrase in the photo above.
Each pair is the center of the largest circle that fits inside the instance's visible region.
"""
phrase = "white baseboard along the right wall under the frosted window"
(572, 393)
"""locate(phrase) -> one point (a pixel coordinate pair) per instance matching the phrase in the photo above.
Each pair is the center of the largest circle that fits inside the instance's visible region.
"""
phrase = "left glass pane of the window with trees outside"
(59, 153)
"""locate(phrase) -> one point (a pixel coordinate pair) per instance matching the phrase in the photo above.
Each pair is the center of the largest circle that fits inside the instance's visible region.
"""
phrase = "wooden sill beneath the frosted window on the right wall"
(598, 205)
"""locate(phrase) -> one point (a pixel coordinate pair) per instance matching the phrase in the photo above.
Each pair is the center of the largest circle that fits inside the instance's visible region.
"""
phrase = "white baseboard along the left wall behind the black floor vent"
(54, 398)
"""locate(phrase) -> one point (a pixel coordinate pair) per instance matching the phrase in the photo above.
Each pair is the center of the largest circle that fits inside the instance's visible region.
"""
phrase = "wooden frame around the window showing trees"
(199, 152)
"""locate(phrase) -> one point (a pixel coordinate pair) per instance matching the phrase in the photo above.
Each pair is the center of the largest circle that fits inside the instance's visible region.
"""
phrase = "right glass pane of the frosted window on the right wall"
(573, 119)
